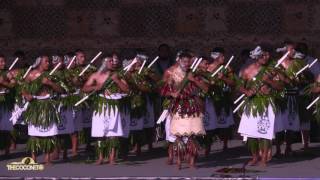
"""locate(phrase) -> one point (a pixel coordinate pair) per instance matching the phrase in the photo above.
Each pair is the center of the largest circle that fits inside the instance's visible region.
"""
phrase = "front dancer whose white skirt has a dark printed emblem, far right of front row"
(257, 121)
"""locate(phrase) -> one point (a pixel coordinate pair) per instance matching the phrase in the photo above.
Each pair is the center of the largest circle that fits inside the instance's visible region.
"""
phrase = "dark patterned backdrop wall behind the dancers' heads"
(94, 25)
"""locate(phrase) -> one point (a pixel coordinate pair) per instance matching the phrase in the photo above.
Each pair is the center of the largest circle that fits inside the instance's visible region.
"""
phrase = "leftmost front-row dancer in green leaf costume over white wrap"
(41, 114)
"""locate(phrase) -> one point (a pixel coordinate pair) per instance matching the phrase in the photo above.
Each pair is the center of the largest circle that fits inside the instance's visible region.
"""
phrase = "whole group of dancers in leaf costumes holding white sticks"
(63, 100)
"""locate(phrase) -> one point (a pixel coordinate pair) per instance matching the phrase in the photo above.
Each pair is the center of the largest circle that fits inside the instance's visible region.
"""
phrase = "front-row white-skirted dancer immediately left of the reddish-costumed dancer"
(108, 121)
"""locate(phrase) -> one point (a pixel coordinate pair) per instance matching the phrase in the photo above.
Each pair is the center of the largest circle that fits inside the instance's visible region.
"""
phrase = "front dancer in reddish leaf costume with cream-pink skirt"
(185, 108)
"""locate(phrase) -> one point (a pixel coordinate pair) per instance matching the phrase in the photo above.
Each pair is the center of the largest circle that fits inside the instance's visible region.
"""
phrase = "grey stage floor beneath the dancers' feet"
(153, 164)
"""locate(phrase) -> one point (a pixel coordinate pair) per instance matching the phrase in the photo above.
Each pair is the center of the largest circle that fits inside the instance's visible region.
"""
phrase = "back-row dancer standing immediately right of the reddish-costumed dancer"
(220, 102)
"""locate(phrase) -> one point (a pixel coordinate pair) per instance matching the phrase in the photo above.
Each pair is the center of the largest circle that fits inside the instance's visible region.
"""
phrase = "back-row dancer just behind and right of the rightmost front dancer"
(293, 102)
